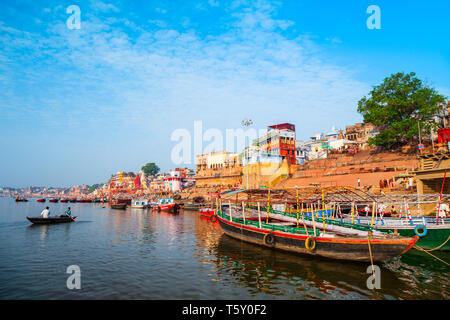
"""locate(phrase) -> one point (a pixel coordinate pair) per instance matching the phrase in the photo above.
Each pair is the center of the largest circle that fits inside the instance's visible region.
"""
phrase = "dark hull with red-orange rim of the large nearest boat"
(348, 248)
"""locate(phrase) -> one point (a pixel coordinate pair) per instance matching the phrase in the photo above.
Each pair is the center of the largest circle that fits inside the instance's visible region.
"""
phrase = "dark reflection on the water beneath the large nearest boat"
(274, 271)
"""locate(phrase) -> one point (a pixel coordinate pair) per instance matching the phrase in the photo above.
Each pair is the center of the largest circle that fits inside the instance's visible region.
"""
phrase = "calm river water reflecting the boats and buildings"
(139, 254)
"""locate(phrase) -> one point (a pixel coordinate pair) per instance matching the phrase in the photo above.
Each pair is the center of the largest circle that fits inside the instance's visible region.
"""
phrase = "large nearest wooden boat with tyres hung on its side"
(338, 244)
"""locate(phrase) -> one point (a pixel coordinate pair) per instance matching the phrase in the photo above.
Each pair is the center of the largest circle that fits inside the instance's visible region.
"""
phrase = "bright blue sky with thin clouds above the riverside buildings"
(78, 105)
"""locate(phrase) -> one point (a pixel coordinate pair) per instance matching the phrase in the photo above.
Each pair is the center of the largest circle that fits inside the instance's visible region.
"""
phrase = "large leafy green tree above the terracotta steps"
(398, 107)
